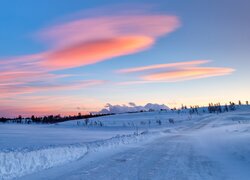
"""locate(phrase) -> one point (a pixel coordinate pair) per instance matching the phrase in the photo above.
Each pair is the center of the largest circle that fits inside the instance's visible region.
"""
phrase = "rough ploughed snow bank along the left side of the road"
(18, 163)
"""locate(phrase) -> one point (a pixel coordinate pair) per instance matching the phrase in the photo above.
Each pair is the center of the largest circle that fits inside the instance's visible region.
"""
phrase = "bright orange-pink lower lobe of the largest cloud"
(95, 51)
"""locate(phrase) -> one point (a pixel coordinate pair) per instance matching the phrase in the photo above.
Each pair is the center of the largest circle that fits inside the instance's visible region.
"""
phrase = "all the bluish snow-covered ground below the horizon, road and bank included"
(130, 146)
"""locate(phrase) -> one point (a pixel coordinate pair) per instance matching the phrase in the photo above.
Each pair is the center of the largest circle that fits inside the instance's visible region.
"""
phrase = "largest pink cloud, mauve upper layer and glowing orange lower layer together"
(91, 40)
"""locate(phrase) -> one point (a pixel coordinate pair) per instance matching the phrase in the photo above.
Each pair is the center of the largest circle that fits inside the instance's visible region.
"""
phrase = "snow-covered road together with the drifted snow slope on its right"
(207, 149)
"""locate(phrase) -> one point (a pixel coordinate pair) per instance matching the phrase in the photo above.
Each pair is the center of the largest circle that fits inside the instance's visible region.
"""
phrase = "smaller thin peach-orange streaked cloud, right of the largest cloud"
(174, 72)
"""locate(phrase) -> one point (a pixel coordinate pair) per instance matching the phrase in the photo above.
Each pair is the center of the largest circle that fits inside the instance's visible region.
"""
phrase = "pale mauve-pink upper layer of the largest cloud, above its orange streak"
(109, 27)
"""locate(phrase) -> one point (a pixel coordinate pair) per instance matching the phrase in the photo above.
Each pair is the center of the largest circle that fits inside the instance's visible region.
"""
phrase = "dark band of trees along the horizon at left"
(49, 119)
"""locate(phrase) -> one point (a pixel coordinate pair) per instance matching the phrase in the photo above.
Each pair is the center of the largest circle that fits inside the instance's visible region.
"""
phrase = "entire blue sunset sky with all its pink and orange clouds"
(65, 57)
